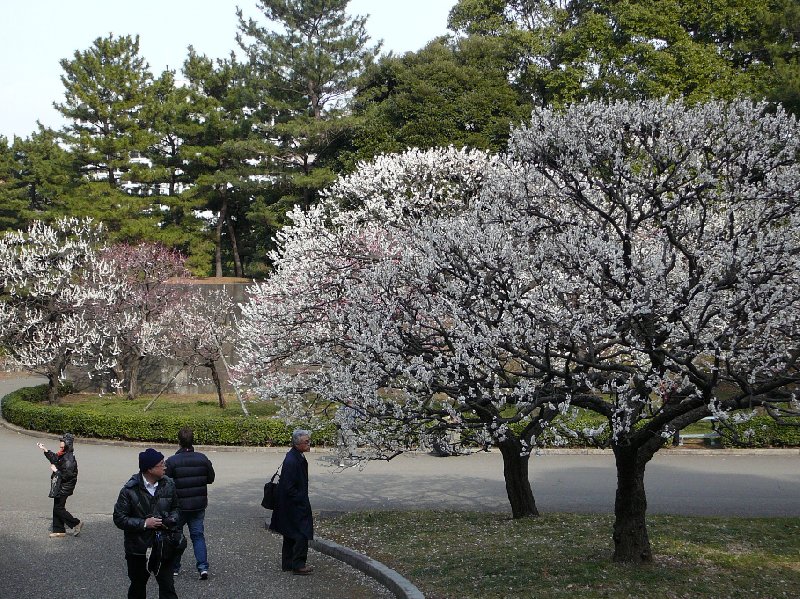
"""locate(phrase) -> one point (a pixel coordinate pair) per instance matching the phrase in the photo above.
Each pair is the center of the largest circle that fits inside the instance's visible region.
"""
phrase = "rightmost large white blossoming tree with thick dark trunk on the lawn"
(673, 285)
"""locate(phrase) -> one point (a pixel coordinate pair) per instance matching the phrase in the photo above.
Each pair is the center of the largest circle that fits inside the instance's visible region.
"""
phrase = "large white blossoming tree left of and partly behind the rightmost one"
(364, 310)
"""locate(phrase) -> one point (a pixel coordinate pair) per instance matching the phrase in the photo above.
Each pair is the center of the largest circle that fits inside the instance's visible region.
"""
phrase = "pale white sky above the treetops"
(36, 34)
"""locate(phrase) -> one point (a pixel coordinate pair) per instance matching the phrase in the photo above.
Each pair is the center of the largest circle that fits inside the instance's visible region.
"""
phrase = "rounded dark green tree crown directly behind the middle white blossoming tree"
(452, 92)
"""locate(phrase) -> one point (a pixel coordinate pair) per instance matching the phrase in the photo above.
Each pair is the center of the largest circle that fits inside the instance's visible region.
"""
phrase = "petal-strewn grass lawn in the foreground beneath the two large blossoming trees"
(464, 555)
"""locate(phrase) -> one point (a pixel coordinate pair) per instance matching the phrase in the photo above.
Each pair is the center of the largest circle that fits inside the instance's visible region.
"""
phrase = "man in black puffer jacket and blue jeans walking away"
(192, 472)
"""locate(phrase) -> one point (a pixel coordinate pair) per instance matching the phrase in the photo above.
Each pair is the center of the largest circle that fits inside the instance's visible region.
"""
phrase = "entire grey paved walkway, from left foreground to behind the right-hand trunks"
(244, 557)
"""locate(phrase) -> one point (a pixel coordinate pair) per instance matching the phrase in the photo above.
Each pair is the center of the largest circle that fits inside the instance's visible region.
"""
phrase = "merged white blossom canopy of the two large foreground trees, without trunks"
(639, 260)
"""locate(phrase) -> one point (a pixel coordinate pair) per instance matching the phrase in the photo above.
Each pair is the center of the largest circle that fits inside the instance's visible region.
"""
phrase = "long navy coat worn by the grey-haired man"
(292, 514)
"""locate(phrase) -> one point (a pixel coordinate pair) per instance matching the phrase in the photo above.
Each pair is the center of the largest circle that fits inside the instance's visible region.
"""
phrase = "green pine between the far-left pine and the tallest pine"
(222, 154)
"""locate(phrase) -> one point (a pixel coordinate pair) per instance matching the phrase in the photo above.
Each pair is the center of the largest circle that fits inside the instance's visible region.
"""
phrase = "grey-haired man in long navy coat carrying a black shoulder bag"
(292, 514)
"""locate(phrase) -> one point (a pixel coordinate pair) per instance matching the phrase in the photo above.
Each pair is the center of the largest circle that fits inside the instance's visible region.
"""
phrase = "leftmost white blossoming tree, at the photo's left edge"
(51, 281)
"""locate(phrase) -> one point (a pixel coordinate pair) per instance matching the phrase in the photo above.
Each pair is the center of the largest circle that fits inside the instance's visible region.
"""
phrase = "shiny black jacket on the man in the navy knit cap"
(134, 505)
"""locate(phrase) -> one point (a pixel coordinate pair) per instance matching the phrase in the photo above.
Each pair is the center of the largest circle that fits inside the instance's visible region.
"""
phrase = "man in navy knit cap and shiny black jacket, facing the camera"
(147, 505)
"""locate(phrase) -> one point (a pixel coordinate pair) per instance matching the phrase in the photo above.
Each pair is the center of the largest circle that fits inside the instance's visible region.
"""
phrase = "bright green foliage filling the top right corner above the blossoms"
(605, 49)
